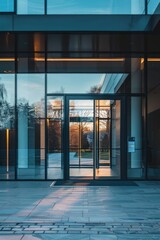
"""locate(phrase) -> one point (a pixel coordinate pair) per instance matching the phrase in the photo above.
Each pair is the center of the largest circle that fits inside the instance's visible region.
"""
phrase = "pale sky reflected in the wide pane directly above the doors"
(72, 83)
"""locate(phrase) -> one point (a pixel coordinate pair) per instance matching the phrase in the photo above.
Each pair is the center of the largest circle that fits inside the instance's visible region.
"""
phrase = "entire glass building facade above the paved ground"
(81, 100)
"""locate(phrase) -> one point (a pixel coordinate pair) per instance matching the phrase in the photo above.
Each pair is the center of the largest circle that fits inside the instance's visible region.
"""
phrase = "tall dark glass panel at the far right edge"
(153, 118)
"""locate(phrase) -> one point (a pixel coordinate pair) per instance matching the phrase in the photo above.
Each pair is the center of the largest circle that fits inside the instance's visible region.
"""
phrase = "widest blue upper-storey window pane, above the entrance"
(95, 7)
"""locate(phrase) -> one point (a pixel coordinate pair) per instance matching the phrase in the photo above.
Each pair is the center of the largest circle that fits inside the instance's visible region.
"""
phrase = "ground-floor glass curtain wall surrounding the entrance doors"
(121, 73)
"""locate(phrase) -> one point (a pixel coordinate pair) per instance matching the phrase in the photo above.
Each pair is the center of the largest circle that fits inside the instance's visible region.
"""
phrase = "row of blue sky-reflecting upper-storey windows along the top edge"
(79, 6)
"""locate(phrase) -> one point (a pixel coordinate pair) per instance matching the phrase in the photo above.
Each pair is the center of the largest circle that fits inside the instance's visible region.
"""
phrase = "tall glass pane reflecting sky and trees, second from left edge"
(31, 126)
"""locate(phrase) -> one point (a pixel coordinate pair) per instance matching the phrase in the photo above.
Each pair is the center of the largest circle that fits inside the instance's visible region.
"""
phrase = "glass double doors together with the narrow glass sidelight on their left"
(84, 137)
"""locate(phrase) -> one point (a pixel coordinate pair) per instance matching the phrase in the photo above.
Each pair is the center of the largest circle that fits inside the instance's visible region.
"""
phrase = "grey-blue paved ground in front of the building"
(36, 210)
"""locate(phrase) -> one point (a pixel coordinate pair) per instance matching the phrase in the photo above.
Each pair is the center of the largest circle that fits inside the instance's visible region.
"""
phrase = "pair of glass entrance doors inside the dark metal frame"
(94, 138)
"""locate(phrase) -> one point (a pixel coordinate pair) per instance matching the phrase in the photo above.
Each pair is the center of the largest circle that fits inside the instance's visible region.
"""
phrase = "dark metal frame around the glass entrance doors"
(67, 98)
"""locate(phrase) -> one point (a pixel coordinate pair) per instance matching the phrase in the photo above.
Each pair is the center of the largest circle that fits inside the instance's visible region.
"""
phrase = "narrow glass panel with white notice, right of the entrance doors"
(135, 119)
